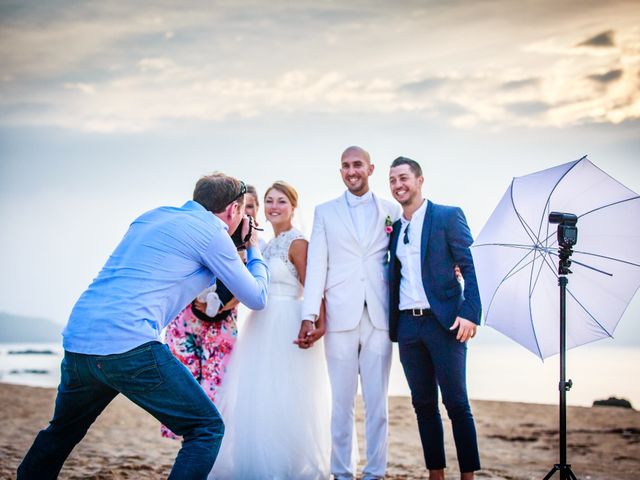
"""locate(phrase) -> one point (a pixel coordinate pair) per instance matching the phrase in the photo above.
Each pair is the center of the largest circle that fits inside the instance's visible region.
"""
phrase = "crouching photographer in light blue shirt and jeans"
(167, 257)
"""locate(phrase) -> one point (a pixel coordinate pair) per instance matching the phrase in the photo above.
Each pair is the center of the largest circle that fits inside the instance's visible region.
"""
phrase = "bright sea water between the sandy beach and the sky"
(494, 372)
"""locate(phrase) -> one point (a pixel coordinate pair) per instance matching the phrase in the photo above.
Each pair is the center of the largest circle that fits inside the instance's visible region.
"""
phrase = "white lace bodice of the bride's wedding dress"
(284, 278)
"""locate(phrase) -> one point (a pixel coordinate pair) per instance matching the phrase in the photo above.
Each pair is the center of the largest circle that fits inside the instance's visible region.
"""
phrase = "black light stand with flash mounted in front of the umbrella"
(567, 238)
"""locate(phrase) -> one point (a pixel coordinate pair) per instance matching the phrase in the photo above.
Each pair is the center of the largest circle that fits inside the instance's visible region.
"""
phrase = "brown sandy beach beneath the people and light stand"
(518, 441)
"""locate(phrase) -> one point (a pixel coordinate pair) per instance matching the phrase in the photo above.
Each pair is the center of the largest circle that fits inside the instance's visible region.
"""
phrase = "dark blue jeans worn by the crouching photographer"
(152, 378)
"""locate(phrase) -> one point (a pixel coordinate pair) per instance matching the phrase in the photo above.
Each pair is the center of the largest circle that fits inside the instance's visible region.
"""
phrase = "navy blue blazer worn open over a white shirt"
(446, 239)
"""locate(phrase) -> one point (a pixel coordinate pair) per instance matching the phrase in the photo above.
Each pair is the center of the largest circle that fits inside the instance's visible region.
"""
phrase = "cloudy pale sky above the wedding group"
(109, 109)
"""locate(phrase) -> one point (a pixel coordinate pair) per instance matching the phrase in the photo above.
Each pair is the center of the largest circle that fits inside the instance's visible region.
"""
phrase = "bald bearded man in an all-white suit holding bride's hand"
(347, 265)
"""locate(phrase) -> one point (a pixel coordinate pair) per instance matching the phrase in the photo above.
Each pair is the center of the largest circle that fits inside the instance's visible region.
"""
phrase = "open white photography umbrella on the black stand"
(516, 257)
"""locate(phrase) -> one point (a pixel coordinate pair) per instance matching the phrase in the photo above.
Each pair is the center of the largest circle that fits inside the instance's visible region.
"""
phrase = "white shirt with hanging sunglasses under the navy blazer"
(411, 288)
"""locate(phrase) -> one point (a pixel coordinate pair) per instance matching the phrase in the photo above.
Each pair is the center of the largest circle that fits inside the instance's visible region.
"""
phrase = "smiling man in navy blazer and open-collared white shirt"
(431, 317)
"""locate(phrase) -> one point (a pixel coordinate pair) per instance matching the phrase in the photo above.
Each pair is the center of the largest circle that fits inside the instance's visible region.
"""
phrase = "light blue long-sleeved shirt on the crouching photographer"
(165, 259)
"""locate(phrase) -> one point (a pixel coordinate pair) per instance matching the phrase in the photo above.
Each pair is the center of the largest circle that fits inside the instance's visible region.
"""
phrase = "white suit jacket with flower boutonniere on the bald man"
(345, 271)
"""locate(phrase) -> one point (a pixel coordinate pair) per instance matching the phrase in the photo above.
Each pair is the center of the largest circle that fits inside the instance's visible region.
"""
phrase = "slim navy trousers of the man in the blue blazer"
(432, 357)
